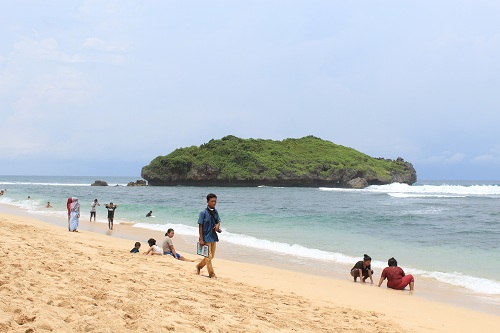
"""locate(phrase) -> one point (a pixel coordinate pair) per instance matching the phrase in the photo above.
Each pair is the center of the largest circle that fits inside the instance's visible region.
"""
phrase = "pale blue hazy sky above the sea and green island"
(103, 87)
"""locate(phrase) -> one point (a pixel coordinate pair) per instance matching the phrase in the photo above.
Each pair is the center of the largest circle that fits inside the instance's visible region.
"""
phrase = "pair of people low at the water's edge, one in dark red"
(396, 277)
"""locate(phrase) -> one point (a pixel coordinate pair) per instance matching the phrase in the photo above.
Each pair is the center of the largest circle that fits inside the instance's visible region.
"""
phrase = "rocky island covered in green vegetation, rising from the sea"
(305, 162)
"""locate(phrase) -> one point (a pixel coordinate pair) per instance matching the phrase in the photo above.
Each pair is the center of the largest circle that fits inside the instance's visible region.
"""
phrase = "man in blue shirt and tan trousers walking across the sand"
(208, 226)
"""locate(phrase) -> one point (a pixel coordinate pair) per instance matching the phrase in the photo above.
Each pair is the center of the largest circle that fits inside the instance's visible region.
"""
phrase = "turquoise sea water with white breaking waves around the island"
(443, 231)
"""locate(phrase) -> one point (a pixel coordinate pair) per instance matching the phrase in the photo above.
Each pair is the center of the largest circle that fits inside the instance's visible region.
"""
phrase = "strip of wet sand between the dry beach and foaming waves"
(427, 289)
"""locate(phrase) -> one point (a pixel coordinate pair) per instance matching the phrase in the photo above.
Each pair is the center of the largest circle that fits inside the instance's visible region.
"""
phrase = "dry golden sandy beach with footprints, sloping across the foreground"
(56, 281)
